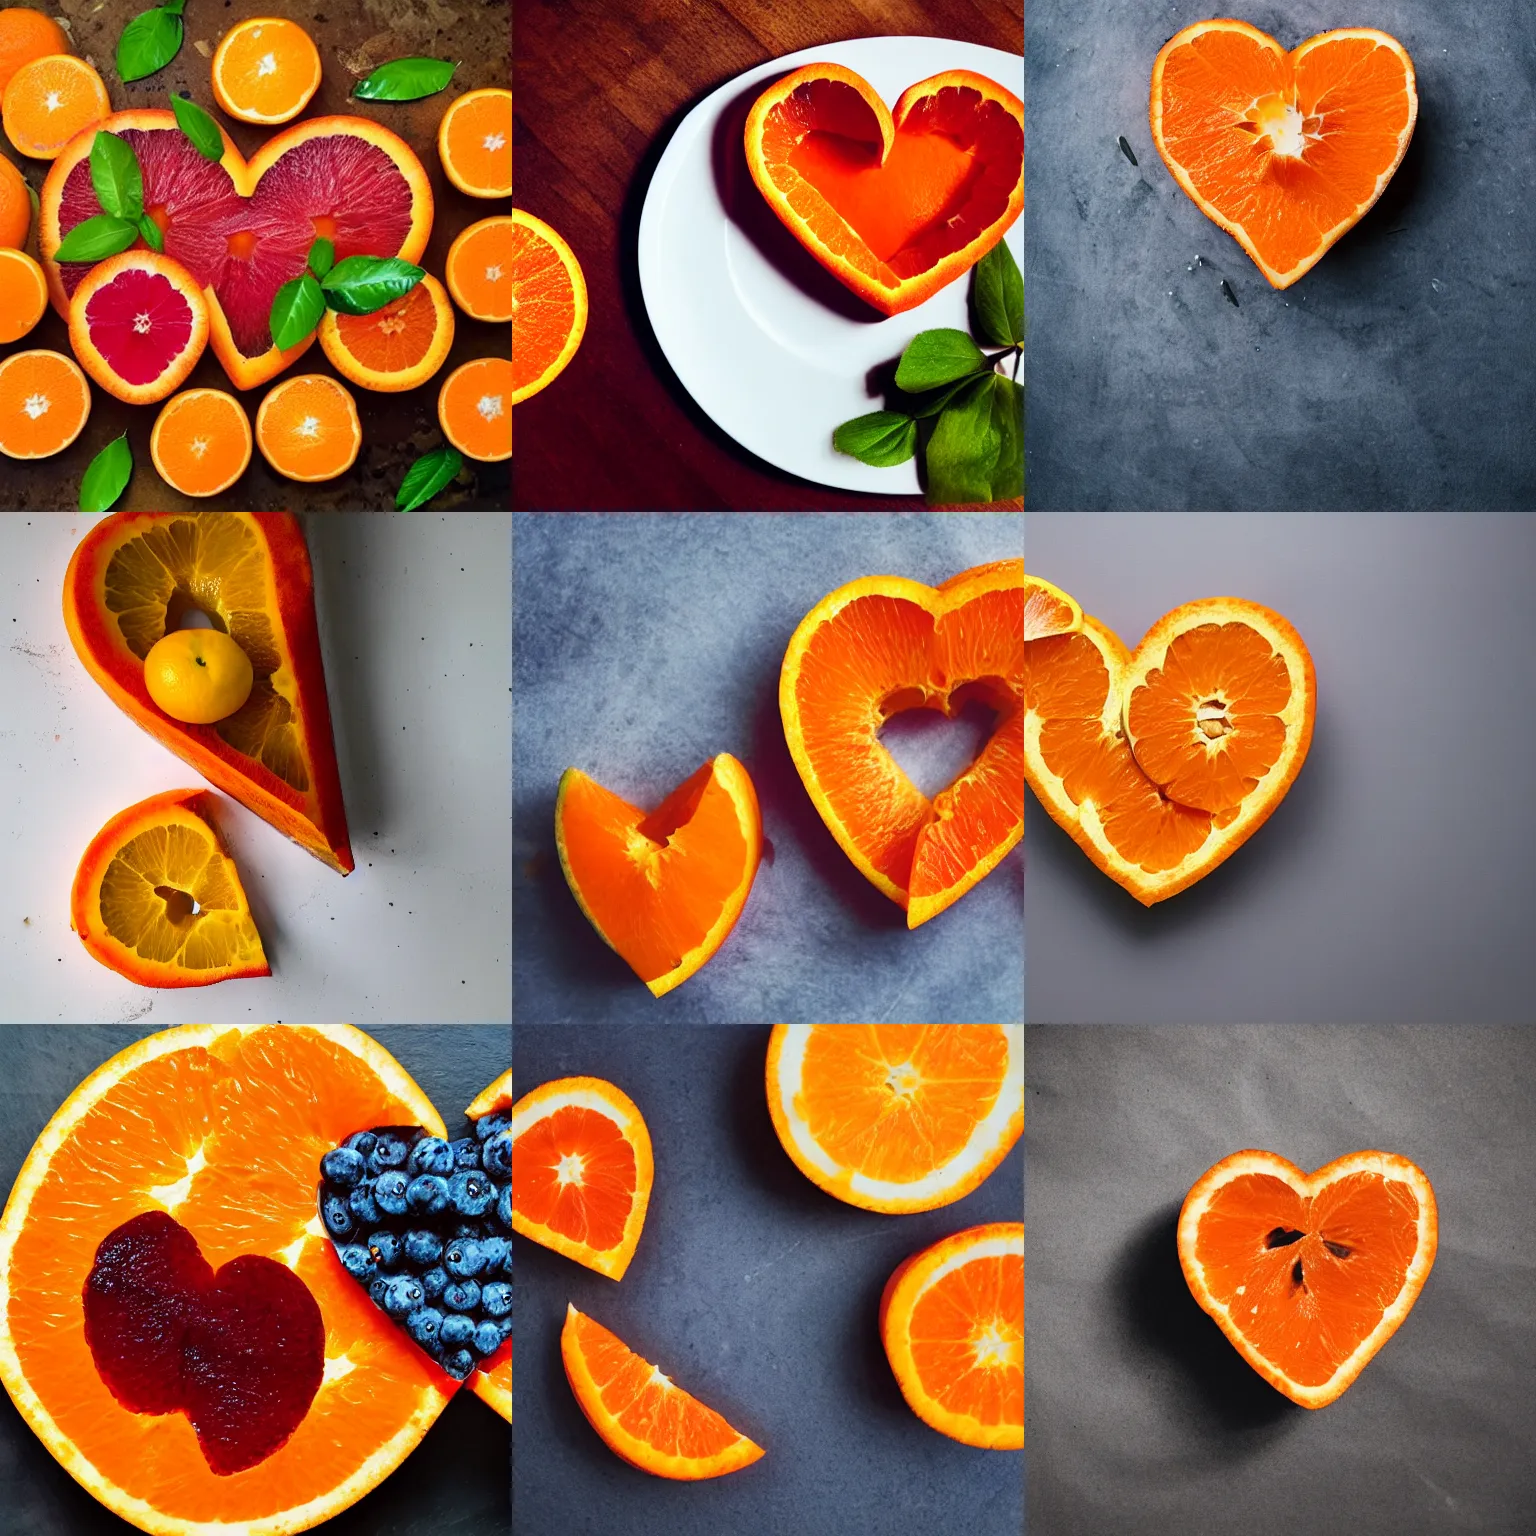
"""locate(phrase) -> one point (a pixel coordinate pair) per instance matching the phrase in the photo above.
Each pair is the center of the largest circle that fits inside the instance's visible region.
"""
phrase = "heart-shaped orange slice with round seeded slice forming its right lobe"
(1164, 763)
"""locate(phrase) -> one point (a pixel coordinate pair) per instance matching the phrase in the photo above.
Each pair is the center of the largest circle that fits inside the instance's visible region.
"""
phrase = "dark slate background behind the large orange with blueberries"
(455, 1483)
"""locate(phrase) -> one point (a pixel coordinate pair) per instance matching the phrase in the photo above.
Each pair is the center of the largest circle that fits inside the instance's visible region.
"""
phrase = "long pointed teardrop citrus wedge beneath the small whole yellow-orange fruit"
(134, 577)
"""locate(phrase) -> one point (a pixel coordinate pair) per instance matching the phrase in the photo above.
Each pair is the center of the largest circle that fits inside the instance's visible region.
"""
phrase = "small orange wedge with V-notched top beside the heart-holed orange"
(663, 890)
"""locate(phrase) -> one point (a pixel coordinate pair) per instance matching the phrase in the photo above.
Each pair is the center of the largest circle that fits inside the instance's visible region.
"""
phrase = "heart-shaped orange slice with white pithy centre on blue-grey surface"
(1285, 151)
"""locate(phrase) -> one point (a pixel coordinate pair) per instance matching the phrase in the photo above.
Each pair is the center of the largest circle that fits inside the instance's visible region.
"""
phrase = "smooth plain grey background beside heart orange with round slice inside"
(1394, 881)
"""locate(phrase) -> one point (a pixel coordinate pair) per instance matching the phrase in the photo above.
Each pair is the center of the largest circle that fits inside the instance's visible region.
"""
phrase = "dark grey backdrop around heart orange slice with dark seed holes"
(1140, 1414)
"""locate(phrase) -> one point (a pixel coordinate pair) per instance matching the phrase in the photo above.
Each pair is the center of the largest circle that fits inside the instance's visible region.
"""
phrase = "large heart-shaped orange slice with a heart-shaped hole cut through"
(886, 644)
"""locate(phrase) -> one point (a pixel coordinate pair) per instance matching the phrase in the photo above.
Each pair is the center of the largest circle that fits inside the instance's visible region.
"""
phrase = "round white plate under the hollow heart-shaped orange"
(772, 365)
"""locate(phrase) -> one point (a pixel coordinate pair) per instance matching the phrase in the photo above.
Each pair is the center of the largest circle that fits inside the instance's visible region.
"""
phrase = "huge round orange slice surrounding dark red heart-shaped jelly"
(220, 1128)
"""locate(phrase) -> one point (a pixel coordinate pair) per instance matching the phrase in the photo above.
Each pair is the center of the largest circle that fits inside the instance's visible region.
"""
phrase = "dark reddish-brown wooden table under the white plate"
(600, 87)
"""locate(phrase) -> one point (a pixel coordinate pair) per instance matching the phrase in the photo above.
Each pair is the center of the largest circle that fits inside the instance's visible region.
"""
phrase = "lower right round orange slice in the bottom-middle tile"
(953, 1325)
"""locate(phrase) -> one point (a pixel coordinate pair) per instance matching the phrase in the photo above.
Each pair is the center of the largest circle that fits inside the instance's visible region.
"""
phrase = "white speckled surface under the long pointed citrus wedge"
(415, 623)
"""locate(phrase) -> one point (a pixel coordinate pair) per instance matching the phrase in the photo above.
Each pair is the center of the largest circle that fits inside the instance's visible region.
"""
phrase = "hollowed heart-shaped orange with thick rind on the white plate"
(895, 205)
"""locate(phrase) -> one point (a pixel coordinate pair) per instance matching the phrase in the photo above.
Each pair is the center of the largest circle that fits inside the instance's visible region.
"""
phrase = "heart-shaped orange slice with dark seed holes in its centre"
(1309, 1274)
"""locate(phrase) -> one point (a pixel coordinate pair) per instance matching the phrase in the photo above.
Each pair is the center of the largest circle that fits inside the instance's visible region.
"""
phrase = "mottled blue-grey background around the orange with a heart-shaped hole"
(643, 646)
